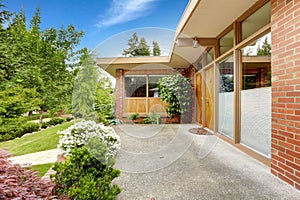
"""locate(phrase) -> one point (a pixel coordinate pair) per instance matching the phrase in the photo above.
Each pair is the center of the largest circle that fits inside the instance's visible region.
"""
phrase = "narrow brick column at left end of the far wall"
(119, 93)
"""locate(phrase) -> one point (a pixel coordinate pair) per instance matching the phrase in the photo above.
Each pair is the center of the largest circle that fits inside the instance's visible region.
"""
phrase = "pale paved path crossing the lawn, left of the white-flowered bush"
(43, 157)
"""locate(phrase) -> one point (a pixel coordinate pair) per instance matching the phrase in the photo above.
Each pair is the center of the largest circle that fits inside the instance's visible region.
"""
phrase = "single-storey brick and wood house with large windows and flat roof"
(250, 100)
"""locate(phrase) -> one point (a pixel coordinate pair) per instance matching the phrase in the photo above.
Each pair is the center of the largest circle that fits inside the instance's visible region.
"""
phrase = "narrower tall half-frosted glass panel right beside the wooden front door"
(226, 97)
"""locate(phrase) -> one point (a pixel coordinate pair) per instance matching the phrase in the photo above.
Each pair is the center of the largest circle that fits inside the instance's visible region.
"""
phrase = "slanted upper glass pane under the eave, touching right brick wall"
(256, 21)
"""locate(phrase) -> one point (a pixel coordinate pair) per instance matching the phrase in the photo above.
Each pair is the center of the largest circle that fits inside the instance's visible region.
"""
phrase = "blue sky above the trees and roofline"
(109, 23)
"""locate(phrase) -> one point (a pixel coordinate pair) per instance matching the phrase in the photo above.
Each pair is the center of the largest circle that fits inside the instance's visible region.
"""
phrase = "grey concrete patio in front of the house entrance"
(166, 162)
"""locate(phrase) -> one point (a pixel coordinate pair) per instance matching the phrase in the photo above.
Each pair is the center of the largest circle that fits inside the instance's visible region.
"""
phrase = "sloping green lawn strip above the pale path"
(41, 141)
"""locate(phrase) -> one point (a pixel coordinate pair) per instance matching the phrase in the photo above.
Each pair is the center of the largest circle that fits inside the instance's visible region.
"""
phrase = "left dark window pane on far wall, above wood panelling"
(135, 86)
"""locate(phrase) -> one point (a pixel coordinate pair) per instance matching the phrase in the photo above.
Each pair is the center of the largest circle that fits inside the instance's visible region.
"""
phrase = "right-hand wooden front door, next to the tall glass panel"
(209, 98)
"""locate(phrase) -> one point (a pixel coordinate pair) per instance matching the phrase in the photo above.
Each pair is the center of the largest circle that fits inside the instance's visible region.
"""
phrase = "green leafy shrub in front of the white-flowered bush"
(87, 173)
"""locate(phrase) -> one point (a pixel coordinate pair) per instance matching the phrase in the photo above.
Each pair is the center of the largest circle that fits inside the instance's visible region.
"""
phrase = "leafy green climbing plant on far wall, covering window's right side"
(176, 90)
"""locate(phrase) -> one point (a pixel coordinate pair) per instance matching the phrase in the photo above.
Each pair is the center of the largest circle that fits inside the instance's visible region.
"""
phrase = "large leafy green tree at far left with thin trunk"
(39, 59)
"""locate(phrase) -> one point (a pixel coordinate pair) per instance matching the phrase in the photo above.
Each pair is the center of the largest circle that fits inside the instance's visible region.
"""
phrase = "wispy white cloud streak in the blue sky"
(122, 11)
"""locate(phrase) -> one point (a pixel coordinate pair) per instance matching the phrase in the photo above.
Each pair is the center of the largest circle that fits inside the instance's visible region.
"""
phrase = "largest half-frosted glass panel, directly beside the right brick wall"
(256, 96)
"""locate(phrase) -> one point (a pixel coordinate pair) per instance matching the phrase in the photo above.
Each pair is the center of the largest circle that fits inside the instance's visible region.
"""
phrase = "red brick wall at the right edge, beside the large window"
(285, 22)
